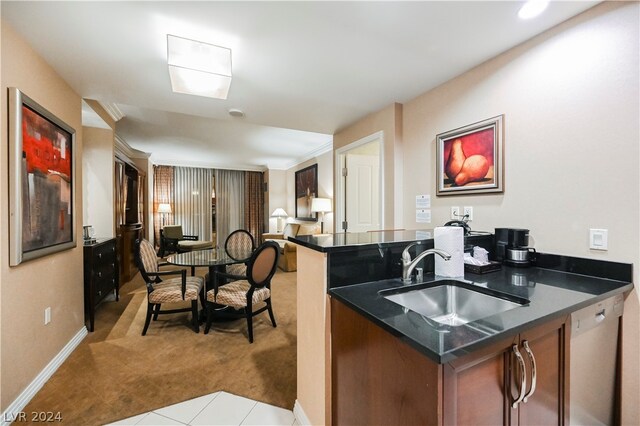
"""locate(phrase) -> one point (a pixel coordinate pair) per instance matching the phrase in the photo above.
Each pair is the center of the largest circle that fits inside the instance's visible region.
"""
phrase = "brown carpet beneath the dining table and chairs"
(116, 373)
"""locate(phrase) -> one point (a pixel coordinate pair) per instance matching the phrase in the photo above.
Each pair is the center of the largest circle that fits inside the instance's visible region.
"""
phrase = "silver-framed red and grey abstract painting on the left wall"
(42, 202)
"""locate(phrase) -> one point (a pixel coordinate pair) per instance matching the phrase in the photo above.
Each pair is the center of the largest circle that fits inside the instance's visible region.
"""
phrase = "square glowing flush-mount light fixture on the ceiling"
(198, 68)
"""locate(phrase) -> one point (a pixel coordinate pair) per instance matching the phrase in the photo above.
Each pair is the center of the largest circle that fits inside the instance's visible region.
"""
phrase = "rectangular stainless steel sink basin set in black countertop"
(452, 302)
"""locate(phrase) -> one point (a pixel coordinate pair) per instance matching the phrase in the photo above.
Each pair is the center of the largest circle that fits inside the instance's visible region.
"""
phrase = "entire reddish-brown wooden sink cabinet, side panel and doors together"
(378, 379)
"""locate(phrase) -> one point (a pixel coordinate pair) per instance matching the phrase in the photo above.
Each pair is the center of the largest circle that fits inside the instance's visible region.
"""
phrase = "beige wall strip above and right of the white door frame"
(388, 121)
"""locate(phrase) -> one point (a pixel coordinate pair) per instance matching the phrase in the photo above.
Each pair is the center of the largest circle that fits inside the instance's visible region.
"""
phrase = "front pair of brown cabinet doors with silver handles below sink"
(483, 387)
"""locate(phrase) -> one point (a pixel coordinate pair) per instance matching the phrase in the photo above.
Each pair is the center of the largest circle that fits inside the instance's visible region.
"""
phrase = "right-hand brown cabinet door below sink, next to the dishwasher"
(549, 346)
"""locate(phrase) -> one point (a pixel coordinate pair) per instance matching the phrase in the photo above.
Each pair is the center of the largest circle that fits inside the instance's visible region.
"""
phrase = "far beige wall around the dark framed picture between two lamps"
(325, 186)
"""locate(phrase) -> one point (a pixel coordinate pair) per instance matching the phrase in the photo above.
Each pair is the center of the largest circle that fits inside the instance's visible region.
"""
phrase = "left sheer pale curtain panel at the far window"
(192, 190)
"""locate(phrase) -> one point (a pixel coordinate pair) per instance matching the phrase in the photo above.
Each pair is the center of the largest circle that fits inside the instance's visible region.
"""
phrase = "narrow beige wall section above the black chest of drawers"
(98, 177)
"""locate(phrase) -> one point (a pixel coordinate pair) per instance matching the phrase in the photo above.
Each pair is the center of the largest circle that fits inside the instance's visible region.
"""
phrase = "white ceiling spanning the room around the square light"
(301, 70)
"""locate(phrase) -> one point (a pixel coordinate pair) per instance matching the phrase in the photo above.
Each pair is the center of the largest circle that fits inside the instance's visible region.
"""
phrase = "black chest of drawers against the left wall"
(101, 277)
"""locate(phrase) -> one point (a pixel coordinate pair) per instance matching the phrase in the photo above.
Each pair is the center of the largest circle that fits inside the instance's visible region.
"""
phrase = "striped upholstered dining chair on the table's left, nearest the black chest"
(171, 290)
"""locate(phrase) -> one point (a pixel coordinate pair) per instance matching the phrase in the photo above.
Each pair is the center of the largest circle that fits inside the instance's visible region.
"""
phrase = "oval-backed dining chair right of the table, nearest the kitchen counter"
(249, 290)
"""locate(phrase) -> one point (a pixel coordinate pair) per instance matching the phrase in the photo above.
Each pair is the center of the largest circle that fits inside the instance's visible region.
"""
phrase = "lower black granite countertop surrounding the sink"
(552, 294)
